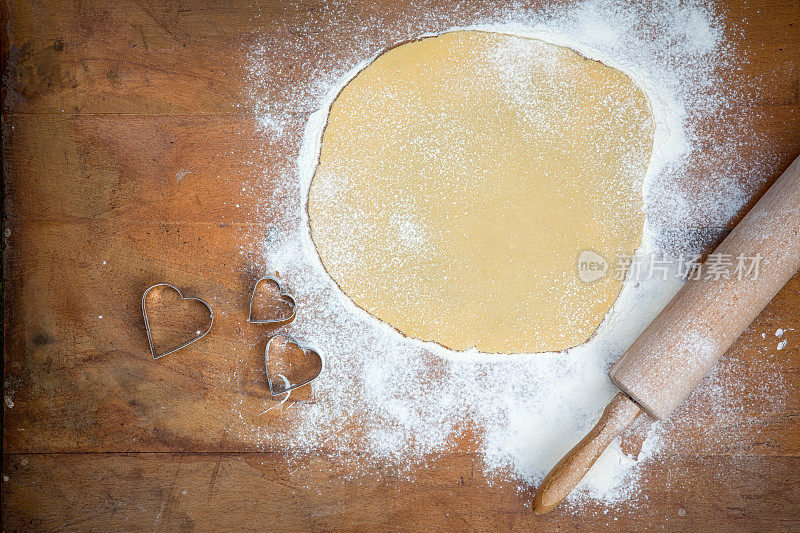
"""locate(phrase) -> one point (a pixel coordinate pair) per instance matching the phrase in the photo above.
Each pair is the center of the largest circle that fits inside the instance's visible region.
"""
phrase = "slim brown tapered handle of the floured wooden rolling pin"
(617, 416)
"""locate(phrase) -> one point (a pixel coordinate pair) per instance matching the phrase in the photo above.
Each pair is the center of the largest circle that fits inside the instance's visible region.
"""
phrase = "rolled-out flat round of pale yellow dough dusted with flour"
(459, 179)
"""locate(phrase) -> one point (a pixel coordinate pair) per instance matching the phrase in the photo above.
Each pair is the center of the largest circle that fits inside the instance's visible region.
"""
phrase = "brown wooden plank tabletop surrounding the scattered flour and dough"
(106, 105)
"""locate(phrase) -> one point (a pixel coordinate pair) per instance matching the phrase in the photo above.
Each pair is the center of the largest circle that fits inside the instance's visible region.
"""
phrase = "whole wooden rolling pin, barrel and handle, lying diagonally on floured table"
(699, 324)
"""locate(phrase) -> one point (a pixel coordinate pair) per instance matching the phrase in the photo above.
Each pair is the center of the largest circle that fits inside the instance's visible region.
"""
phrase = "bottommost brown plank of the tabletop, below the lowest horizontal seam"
(172, 491)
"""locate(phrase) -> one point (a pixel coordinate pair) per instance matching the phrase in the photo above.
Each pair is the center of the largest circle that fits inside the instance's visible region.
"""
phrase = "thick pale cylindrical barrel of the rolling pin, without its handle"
(707, 315)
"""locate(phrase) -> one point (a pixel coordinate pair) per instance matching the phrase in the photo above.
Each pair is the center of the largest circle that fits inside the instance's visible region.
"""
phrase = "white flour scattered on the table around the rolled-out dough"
(399, 399)
